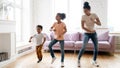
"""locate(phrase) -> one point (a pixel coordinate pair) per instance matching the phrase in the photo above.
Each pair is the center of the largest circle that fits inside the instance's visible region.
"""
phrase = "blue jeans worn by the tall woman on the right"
(93, 37)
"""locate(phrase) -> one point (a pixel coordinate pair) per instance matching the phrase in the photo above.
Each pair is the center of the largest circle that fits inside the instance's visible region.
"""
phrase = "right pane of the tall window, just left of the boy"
(27, 19)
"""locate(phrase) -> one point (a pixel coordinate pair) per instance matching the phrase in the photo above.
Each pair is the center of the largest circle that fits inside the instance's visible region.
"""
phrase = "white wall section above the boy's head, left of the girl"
(42, 14)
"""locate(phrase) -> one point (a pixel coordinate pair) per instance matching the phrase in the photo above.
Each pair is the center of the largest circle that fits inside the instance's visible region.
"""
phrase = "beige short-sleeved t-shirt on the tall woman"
(89, 24)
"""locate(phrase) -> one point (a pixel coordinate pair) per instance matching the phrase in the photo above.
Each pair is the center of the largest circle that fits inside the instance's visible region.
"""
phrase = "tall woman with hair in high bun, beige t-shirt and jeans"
(88, 22)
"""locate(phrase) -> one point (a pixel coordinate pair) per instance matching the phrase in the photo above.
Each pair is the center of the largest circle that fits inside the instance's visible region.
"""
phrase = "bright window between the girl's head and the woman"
(75, 15)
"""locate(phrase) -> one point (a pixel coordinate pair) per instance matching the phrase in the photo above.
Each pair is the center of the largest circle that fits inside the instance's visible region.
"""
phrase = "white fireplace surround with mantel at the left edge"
(7, 37)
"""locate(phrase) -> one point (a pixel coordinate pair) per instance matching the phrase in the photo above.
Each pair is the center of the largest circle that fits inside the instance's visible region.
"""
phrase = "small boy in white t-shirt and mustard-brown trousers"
(40, 40)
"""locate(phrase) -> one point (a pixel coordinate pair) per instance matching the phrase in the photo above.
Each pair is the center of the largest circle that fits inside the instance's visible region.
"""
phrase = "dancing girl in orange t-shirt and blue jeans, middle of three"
(59, 29)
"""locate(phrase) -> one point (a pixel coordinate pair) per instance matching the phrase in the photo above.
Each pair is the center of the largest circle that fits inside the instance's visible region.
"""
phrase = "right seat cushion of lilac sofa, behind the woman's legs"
(101, 44)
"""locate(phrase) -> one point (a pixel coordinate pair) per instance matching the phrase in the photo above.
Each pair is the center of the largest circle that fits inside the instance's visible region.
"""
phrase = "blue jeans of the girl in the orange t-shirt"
(61, 46)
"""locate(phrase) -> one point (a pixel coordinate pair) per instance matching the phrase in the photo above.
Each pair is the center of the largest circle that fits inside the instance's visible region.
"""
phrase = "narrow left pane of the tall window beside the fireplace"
(18, 16)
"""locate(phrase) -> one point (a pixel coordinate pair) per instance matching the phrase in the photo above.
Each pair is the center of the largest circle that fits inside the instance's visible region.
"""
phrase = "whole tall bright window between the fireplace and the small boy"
(22, 17)
